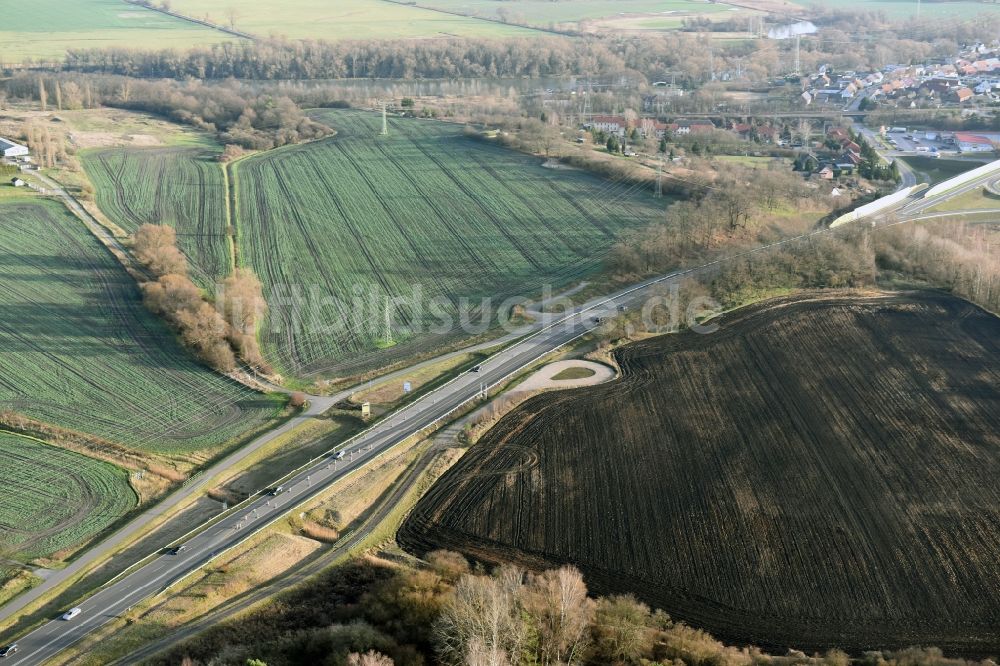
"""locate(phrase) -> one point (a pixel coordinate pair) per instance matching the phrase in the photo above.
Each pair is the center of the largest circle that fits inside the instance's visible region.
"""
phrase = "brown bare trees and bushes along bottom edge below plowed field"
(367, 613)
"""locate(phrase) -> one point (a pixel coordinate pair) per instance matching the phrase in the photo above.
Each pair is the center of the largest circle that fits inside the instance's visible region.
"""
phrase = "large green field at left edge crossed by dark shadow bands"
(79, 350)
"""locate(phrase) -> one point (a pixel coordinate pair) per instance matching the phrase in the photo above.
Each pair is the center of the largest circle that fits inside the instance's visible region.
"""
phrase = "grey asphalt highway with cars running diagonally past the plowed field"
(116, 599)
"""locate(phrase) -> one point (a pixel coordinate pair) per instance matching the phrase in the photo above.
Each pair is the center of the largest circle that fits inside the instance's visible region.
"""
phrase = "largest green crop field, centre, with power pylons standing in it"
(335, 228)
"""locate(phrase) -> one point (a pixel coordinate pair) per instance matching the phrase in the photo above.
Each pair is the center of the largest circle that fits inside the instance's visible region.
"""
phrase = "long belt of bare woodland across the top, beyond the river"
(849, 40)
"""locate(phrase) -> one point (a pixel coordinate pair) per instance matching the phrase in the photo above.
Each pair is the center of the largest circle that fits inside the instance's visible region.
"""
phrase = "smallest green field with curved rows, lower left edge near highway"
(55, 499)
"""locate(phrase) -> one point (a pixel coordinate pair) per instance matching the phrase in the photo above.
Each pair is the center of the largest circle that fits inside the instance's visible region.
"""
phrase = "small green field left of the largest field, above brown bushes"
(182, 187)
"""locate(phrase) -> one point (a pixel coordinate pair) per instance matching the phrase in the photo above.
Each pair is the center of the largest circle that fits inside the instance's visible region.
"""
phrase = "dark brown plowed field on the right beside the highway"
(820, 472)
